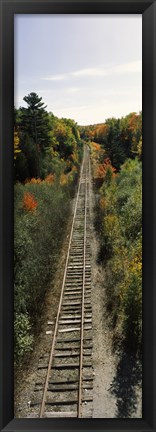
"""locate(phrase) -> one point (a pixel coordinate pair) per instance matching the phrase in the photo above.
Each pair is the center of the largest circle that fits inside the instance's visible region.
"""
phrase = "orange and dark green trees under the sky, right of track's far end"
(119, 138)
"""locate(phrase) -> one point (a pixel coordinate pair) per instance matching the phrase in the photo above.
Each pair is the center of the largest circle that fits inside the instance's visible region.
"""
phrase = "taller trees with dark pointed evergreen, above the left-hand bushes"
(42, 142)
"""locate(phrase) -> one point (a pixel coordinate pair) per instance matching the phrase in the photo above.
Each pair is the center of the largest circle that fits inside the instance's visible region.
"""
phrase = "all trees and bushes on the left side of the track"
(46, 167)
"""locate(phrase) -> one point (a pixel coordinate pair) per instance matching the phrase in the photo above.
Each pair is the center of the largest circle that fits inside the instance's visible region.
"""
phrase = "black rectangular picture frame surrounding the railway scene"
(148, 9)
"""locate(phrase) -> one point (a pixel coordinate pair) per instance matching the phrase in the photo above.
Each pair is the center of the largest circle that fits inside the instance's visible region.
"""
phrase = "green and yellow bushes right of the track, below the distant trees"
(121, 249)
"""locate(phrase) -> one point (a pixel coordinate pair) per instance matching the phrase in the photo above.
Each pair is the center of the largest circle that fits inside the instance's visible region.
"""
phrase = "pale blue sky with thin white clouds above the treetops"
(85, 67)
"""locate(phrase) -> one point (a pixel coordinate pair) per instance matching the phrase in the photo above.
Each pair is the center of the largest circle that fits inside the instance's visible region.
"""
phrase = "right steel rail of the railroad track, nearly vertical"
(79, 413)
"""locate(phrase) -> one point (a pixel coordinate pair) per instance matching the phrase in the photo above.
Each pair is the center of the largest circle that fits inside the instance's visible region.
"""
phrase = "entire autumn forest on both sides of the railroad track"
(48, 153)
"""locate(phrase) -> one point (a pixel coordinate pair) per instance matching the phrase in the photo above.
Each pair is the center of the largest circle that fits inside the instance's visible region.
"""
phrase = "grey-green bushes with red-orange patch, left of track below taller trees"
(41, 214)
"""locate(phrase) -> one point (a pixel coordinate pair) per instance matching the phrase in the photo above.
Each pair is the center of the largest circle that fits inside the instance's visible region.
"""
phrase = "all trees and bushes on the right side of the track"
(116, 153)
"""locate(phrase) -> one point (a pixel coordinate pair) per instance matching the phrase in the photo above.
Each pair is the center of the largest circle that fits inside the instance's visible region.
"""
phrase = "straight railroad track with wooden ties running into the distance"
(68, 374)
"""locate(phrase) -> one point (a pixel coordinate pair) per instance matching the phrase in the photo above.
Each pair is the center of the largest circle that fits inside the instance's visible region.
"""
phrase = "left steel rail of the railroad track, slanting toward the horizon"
(60, 302)
